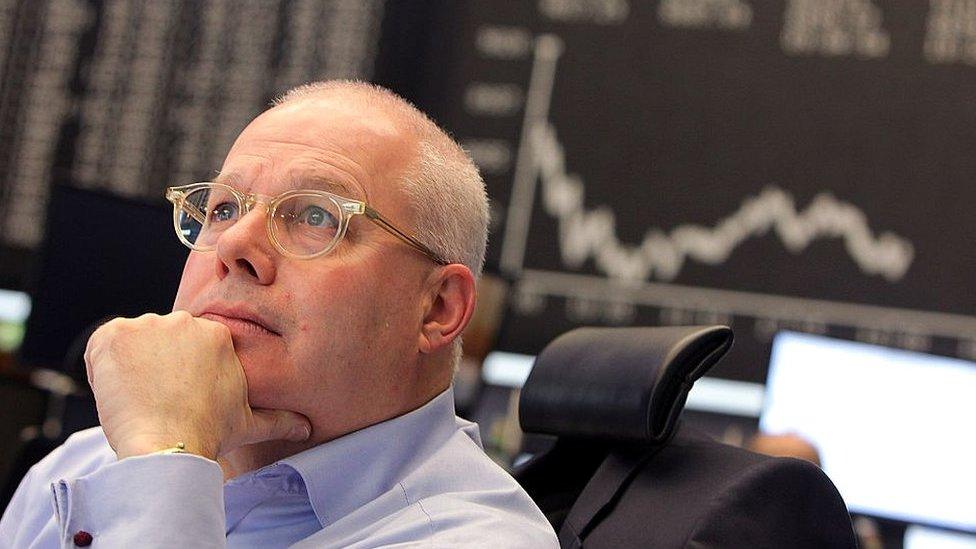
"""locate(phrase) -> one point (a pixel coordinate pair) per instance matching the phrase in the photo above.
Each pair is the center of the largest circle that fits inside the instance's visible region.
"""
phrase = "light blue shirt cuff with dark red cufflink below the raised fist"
(173, 500)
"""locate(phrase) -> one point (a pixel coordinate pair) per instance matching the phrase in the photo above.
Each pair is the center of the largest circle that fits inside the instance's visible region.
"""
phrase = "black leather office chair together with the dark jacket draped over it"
(622, 474)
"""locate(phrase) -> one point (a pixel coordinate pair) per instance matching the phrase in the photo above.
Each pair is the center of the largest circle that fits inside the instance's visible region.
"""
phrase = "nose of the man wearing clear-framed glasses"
(244, 248)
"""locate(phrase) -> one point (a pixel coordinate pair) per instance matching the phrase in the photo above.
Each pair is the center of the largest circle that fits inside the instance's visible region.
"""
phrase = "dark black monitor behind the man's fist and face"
(103, 255)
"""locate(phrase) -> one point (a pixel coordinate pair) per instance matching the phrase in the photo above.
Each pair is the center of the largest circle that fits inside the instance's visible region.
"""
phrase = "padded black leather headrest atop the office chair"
(625, 384)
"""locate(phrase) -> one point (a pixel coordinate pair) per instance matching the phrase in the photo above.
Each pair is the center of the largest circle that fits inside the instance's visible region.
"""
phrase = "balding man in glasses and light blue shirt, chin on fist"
(299, 394)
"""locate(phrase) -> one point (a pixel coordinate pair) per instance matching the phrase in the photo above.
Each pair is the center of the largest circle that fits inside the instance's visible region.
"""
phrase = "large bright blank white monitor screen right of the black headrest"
(894, 428)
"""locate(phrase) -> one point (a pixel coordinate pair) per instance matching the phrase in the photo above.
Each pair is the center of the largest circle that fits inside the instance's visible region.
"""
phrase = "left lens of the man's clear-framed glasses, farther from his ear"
(206, 213)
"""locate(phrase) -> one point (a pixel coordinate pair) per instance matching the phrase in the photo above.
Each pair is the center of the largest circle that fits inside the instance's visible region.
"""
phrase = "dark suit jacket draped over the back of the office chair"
(698, 493)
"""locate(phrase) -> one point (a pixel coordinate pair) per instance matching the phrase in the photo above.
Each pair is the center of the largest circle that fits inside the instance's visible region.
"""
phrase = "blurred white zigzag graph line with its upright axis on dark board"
(585, 234)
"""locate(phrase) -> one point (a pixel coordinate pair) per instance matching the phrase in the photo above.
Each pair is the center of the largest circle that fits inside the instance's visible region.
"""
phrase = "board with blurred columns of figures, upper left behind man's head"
(131, 96)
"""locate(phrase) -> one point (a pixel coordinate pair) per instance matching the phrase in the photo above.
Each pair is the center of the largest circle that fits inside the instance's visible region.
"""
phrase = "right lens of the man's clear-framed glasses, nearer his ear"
(306, 225)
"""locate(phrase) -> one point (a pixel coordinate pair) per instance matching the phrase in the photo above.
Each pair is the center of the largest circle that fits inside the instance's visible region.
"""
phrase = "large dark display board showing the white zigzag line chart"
(797, 164)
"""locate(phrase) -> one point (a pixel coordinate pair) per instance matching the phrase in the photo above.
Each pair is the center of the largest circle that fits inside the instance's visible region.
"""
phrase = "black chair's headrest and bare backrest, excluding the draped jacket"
(600, 389)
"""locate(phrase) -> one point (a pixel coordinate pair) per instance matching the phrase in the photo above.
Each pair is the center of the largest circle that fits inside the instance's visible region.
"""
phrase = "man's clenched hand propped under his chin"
(160, 380)
